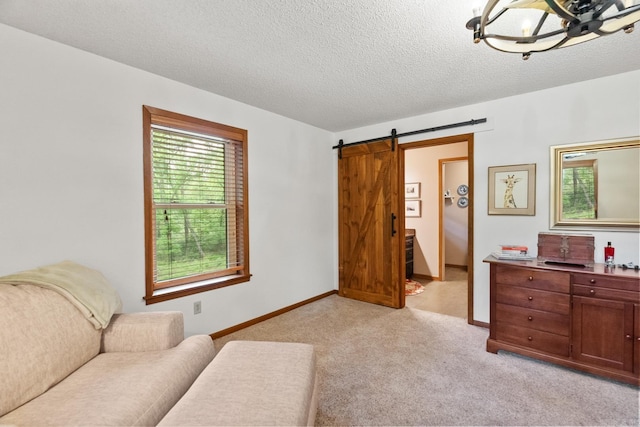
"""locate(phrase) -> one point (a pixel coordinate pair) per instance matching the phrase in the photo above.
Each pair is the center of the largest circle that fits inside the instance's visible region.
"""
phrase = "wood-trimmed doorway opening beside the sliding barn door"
(443, 241)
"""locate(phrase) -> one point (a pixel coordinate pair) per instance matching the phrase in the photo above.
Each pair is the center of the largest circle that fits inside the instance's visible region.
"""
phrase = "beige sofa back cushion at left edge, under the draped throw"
(43, 339)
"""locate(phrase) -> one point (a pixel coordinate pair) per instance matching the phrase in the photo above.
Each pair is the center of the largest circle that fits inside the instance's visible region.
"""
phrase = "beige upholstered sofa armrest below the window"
(145, 331)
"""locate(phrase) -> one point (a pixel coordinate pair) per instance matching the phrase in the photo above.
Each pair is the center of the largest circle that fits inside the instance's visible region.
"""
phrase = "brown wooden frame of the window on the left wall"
(176, 288)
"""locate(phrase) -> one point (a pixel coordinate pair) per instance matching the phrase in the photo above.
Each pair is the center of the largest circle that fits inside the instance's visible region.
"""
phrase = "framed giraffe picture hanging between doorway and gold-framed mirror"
(512, 190)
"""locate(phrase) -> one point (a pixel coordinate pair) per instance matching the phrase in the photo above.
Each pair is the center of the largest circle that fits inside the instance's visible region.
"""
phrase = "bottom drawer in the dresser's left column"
(531, 338)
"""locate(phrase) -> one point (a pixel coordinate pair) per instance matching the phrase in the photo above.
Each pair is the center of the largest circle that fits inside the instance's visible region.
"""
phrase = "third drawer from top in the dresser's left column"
(533, 319)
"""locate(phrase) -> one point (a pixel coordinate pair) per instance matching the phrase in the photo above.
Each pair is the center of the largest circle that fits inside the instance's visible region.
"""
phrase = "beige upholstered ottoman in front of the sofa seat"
(252, 383)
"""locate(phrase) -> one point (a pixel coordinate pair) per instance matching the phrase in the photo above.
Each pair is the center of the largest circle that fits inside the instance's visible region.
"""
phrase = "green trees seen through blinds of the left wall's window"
(189, 195)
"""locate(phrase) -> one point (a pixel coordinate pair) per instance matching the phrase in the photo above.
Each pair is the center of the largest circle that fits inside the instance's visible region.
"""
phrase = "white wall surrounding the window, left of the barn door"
(71, 180)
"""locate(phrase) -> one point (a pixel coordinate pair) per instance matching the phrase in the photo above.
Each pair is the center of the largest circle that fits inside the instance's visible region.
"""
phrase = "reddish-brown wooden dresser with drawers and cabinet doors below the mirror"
(586, 318)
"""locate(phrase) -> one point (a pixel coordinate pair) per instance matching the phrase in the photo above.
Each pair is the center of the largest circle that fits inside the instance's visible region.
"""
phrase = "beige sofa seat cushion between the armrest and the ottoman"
(120, 389)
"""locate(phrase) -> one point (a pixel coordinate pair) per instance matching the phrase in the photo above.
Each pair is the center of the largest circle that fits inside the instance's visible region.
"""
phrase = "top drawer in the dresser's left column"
(556, 281)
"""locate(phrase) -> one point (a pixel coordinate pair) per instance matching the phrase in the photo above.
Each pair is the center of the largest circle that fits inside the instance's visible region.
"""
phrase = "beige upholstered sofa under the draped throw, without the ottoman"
(60, 369)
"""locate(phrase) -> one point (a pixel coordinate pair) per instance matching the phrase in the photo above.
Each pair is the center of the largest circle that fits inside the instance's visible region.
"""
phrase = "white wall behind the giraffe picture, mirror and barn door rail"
(520, 130)
